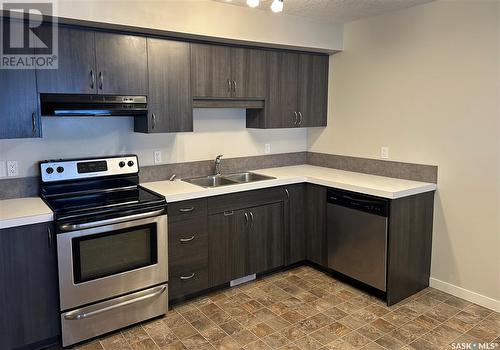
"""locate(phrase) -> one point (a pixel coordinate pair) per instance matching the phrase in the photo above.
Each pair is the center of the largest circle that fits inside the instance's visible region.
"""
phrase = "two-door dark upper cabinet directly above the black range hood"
(97, 62)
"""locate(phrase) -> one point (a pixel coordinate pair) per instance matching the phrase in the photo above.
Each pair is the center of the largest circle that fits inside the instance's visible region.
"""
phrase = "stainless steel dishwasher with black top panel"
(357, 236)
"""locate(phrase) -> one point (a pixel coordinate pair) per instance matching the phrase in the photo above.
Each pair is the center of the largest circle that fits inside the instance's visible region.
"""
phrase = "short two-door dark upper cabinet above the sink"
(226, 72)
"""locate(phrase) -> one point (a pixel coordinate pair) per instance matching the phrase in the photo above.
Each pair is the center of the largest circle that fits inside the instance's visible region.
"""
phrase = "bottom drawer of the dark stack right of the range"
(187, 280)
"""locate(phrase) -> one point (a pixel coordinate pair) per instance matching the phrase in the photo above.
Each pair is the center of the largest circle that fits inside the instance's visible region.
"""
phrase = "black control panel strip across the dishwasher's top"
(370, 204)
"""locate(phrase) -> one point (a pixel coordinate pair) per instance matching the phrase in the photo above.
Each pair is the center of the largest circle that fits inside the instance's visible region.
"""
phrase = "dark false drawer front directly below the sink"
(247, 199)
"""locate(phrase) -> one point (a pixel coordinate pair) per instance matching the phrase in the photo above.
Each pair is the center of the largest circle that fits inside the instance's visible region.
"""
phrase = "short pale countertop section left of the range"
(23, 211)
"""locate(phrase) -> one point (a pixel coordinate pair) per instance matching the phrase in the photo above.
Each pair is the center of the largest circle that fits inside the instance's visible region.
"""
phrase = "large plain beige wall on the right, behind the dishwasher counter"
(425, 82)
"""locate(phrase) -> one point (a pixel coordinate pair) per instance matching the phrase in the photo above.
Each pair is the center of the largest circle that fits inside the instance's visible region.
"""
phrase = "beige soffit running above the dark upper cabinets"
(204, 17)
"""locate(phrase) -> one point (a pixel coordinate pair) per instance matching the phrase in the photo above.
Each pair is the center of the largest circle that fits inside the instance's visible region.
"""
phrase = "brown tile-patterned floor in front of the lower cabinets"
(306, 309)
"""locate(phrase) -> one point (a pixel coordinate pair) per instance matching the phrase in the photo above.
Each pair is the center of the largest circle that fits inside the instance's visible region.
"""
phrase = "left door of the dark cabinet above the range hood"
(76, 67)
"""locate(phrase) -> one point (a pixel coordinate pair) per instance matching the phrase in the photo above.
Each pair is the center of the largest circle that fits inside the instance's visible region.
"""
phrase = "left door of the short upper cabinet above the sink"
(211, 71)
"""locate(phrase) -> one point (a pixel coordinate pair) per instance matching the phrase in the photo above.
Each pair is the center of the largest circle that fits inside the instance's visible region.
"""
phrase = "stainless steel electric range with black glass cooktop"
(111, 244)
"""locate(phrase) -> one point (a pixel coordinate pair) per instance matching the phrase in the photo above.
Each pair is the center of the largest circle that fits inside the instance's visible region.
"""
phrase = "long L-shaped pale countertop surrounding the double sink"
(381, 186)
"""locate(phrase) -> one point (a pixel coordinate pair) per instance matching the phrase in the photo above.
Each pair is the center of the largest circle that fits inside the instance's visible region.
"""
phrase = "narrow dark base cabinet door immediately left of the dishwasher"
(316, 224)
